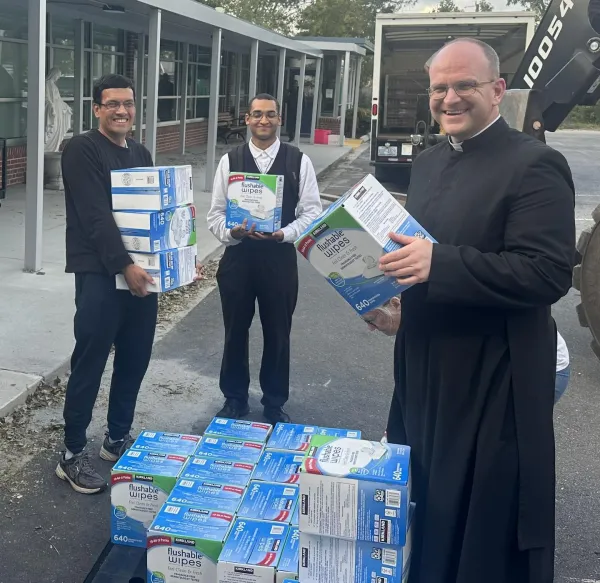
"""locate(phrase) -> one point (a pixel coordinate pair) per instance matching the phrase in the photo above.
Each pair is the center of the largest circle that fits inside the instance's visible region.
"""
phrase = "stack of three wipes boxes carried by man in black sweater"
(154, 210)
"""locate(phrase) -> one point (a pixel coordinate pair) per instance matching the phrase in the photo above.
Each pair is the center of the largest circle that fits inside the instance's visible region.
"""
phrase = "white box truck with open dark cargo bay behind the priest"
(402, 125)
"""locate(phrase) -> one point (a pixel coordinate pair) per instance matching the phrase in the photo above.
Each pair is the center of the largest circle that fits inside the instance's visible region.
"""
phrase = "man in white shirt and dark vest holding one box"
(263, 267)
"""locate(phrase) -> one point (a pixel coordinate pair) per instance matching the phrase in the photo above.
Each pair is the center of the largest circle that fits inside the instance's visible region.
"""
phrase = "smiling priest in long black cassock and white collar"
(476, 350)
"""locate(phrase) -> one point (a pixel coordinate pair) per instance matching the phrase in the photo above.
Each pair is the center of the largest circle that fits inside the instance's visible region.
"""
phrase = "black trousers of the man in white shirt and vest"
(266, 272)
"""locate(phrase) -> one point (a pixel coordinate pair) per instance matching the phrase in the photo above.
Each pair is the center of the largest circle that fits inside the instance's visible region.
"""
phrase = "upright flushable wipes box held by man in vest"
(257, 198)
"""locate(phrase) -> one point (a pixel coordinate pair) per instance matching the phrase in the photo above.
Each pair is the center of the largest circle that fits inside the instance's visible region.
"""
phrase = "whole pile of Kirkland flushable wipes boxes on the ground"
(251, 503)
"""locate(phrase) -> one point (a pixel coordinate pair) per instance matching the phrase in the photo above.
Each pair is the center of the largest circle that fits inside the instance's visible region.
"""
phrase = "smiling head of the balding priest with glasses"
(465, 91)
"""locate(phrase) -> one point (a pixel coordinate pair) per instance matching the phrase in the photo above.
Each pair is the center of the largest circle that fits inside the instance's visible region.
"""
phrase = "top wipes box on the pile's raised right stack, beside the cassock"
(355, 489)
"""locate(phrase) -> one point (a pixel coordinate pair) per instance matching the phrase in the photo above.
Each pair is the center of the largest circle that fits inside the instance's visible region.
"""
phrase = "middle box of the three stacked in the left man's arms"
(154, 231)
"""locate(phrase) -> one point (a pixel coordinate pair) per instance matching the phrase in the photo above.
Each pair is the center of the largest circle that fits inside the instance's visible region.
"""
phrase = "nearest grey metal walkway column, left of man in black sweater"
(36, 77)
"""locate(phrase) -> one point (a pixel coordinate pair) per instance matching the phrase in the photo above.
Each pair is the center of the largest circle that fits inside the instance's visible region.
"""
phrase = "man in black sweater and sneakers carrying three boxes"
(104, 315)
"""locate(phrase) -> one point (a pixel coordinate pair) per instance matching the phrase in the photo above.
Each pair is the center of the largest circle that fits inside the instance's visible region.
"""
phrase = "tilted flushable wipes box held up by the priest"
(344, 244)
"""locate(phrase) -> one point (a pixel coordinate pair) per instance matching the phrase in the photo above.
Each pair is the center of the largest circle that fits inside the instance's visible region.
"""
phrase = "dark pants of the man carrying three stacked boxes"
(106, 316)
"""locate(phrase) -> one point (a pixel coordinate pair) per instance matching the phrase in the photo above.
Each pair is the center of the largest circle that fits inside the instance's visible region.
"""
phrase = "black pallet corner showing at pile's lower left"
(119, 564)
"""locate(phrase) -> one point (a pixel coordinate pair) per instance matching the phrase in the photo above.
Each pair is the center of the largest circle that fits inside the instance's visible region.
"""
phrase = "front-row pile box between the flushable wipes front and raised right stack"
(252, 552)
